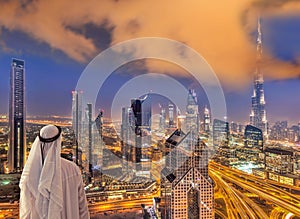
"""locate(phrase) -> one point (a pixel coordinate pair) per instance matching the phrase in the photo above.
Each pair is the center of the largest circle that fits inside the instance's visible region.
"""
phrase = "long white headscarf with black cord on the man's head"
(41, 184)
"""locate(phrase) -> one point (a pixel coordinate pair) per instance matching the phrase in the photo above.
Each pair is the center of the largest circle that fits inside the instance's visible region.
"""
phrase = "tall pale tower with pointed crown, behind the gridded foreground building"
(192, 115)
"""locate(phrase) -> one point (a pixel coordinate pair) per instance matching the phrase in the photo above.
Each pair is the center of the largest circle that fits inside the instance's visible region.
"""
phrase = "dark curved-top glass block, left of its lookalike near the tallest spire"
(220, 133)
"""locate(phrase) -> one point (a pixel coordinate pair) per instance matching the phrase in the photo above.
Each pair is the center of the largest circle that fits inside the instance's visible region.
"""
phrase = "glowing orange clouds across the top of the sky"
(220, 31)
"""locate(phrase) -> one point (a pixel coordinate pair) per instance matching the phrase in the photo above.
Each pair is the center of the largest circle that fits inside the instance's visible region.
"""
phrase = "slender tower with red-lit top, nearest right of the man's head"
(77, 116)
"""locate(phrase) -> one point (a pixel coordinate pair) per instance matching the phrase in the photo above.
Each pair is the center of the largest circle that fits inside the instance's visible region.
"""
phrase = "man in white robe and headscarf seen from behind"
(51, 186)
